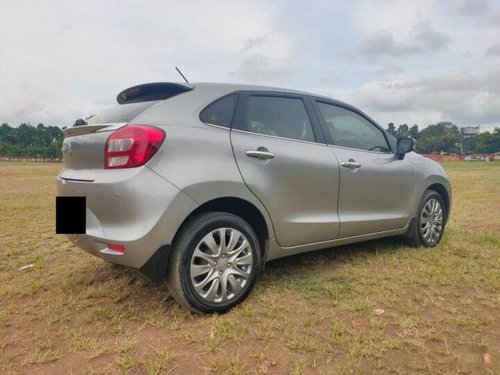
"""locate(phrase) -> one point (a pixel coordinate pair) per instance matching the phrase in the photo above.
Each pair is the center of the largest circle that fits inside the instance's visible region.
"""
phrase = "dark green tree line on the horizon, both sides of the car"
(45, 142)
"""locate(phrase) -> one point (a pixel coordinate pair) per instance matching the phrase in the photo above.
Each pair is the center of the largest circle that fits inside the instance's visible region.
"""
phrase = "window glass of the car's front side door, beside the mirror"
(348, 129)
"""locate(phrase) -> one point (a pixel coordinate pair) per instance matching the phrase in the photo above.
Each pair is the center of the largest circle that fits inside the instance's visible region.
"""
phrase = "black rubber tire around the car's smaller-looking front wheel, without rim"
(415, 234)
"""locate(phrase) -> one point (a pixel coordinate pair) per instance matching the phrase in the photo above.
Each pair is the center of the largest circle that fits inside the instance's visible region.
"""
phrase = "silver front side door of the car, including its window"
(376, 189)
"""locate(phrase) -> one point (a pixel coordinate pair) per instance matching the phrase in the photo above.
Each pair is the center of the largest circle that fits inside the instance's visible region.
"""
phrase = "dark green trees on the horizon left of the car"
(33, 142)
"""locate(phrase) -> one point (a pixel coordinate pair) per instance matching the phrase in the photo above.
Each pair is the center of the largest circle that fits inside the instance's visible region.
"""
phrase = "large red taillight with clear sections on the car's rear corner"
(132, 146)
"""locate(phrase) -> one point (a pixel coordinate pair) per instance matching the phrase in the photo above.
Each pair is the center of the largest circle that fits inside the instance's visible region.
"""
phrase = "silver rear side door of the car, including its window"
(283, 159)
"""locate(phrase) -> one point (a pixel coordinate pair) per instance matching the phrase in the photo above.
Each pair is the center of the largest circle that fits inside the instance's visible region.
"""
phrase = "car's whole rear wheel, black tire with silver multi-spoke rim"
(214, 262)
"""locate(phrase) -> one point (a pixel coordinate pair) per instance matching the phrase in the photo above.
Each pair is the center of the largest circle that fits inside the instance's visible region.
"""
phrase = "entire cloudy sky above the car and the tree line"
(415, 62)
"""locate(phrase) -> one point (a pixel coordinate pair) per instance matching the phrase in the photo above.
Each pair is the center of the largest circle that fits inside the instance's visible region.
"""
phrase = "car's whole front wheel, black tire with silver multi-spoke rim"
(427, 228)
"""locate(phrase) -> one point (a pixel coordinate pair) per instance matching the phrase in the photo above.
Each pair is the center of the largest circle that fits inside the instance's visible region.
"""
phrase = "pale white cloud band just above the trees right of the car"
(460, 96)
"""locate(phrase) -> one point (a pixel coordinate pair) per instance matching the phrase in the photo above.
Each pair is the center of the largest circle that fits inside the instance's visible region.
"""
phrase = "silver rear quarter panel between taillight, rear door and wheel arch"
(199, 160)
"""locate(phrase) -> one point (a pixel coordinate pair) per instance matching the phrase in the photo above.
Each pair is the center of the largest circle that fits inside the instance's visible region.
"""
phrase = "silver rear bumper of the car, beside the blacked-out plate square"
(135, 208)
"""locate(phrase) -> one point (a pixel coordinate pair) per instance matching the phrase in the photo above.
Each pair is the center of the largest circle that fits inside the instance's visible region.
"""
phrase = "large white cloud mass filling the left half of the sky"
(59, 57)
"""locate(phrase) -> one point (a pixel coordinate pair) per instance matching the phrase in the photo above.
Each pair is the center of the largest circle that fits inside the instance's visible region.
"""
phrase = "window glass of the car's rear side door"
(278, 116)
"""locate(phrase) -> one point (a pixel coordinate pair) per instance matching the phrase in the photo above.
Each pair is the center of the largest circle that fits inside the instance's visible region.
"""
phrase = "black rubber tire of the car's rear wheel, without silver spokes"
(182, 259)
